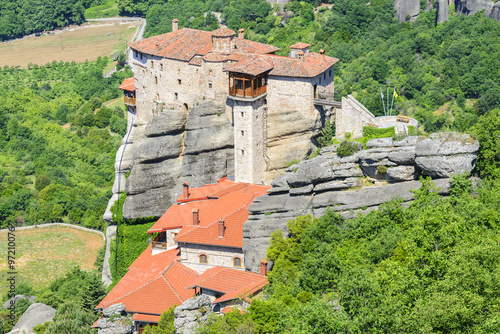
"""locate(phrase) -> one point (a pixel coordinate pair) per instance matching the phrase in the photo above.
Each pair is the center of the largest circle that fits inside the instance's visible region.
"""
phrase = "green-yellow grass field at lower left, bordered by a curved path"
(44, 254)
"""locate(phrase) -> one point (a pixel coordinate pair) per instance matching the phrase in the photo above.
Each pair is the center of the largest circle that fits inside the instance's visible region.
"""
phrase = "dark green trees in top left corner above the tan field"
(24, 17)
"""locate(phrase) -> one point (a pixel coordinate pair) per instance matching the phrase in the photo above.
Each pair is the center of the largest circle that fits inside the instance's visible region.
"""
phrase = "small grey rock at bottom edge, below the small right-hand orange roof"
(191, 314)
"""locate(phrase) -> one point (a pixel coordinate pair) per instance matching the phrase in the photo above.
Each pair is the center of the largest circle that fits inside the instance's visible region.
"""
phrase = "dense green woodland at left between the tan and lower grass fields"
(58, 142)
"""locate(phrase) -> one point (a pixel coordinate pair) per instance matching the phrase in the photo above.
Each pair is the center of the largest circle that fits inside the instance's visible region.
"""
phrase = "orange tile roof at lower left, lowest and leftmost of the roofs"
(152, 284)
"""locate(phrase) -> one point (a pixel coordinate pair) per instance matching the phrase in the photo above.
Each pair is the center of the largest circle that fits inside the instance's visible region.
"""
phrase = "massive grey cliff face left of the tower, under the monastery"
(174, 147)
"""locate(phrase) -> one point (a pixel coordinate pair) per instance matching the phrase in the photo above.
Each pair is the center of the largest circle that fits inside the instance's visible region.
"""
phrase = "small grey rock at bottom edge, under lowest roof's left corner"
(115, 321)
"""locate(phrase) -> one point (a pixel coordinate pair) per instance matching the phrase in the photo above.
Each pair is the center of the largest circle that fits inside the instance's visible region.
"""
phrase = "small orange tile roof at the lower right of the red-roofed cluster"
(232, 283)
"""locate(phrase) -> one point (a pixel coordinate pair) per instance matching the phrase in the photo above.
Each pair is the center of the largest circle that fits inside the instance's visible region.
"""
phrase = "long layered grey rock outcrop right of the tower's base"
(357, 183)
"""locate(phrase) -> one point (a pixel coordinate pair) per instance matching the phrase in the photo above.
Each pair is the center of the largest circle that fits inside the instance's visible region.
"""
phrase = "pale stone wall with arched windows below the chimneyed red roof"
(216, 256)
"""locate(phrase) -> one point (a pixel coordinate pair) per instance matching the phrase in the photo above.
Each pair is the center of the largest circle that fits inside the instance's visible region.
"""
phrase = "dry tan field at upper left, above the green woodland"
(83, 43)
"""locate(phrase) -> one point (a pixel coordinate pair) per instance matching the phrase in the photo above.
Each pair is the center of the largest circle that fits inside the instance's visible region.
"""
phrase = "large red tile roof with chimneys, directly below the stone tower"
(226, 200)
